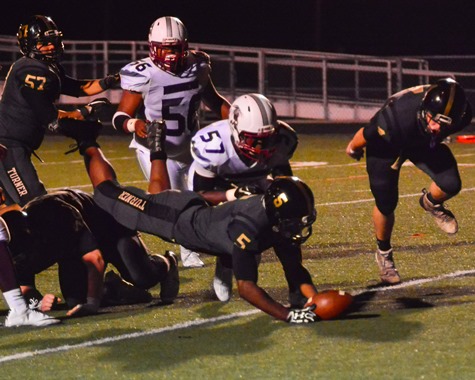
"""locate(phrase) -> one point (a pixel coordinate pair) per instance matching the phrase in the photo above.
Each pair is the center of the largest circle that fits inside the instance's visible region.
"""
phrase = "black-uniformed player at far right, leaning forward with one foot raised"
(412, 125)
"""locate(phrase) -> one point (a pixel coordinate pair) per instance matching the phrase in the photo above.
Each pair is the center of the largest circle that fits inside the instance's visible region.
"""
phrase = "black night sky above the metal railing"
(375, 27)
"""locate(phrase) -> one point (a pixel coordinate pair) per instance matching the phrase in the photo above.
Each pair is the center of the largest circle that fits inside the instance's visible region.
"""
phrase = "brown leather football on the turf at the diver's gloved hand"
(330, 303)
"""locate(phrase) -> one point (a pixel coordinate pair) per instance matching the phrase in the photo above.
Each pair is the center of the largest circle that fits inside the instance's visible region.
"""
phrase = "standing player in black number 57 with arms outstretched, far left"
(33, 84)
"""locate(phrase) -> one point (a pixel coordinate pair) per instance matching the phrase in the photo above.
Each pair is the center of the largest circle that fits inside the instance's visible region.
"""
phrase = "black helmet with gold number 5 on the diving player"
(290, 208)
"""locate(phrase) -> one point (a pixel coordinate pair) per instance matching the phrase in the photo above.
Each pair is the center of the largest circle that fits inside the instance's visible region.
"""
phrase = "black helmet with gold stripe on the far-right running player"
(445, 103)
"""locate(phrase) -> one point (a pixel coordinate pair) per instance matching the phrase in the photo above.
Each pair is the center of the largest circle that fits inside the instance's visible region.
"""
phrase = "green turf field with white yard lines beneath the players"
(421, 329)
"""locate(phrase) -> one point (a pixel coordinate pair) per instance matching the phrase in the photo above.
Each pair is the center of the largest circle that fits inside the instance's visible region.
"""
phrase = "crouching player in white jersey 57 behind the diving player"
(238, 157)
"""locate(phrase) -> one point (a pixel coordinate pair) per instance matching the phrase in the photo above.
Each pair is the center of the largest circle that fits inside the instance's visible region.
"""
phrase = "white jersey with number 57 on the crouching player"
(214, 155)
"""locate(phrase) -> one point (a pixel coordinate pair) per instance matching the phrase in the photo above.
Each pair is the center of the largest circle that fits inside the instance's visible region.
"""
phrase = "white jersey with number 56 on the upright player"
(173, 98)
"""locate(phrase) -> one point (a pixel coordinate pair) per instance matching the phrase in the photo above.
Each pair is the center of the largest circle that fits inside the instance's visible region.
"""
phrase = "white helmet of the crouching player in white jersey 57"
(253, 123)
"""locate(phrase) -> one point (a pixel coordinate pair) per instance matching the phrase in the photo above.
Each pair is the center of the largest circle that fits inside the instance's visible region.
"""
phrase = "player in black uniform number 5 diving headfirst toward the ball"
(281, 219)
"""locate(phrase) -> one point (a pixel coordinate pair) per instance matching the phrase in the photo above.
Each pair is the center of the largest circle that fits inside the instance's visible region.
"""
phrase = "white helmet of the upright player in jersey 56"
(168, 44)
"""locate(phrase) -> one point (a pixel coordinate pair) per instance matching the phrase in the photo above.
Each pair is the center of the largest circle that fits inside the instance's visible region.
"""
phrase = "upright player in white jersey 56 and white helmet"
(168, 85)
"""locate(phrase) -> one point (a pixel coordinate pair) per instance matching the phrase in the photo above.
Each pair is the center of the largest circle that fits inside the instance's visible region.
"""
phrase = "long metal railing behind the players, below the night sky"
(319, 85)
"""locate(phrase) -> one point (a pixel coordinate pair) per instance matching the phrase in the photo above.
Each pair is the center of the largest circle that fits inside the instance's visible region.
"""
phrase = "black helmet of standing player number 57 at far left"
(40, 31)
